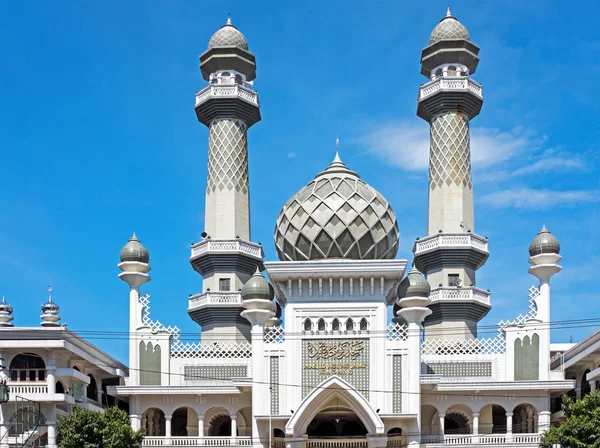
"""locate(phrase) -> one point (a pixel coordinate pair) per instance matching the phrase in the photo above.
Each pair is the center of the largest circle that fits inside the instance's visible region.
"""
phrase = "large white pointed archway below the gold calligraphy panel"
(336, 393)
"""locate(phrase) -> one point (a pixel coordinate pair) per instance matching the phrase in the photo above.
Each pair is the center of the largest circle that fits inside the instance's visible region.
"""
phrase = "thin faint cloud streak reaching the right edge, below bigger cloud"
(539, 199)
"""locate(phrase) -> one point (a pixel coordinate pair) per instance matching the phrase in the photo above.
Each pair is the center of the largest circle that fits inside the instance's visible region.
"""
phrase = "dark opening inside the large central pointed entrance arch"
(336, 420)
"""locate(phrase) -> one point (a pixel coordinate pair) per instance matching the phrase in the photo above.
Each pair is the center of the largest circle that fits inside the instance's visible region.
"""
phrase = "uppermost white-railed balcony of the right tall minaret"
(444, 94)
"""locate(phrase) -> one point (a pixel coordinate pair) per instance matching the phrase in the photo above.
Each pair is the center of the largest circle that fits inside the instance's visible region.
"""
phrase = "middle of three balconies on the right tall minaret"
(449, 249)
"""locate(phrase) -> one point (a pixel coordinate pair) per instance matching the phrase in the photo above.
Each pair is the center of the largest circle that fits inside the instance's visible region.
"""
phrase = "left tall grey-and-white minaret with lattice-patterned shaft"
(225, 257)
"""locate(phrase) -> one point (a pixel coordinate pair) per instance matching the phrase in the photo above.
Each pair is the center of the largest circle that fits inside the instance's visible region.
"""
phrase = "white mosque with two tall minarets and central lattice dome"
(375, 351)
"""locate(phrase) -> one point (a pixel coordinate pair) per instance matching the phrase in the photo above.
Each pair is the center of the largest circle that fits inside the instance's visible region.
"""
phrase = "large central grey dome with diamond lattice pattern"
(337, 215)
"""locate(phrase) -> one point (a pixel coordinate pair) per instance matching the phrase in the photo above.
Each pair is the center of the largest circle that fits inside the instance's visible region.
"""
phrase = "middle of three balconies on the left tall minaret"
(229, 255)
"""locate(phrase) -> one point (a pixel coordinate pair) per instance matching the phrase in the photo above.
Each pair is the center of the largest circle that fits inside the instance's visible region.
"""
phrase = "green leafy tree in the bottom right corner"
(581, 427)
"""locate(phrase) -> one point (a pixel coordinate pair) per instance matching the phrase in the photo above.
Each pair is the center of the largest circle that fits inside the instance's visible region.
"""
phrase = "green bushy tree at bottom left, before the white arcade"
(89, 429)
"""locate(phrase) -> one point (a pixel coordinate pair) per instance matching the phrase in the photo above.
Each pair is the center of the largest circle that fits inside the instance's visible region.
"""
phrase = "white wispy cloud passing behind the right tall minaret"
(406, 145)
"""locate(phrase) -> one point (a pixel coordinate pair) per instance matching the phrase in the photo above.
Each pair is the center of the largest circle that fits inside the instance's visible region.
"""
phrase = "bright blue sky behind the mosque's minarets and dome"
(99, 139)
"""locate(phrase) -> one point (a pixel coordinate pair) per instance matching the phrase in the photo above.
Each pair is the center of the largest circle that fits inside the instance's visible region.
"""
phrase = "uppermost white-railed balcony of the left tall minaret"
(227, 101)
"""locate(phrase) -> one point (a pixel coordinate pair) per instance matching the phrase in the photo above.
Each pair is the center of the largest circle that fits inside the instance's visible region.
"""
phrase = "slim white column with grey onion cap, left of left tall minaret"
(134, 264)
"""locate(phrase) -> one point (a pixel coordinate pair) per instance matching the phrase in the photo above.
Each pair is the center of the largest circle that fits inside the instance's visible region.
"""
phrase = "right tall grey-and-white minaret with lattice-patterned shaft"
(452, 252)
